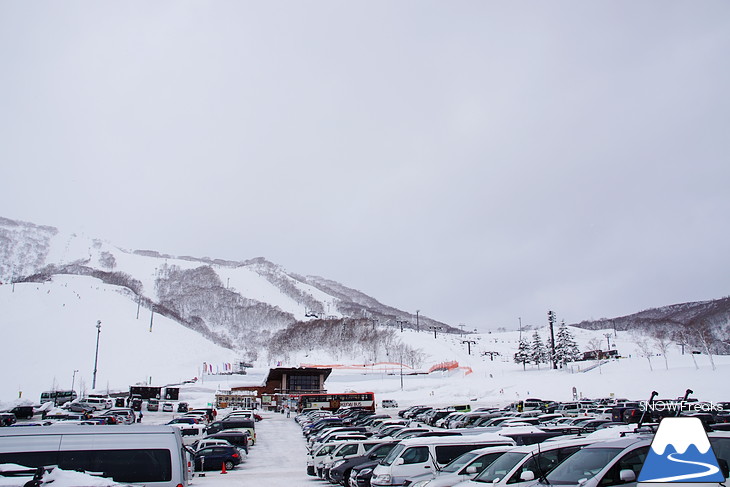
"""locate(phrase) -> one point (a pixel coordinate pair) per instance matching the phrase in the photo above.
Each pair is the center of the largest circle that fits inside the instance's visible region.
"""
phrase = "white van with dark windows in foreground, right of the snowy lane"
(416, 456)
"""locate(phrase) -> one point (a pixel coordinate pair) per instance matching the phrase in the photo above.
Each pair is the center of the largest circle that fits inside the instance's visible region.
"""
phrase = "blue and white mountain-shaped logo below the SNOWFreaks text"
(681, 452)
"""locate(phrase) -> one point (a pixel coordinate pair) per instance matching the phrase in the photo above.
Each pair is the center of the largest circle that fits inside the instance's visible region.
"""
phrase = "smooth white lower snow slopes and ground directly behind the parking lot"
(49, 332)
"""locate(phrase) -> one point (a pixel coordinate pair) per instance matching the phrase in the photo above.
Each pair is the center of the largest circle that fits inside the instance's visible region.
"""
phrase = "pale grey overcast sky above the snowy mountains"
(478, 161)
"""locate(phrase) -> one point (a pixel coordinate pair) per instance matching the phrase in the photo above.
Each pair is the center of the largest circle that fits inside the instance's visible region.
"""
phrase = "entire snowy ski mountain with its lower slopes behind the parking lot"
(162, 317)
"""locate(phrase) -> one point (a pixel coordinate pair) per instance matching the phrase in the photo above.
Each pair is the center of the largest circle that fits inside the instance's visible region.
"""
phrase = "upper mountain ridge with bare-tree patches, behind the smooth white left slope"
(235, 304)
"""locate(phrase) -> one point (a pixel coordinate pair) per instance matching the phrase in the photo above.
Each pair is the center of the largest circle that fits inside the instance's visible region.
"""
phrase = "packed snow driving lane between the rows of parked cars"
(277, 460)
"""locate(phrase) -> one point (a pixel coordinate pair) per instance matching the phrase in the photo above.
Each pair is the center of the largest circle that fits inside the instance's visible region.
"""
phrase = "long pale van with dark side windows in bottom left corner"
(136, 454)
